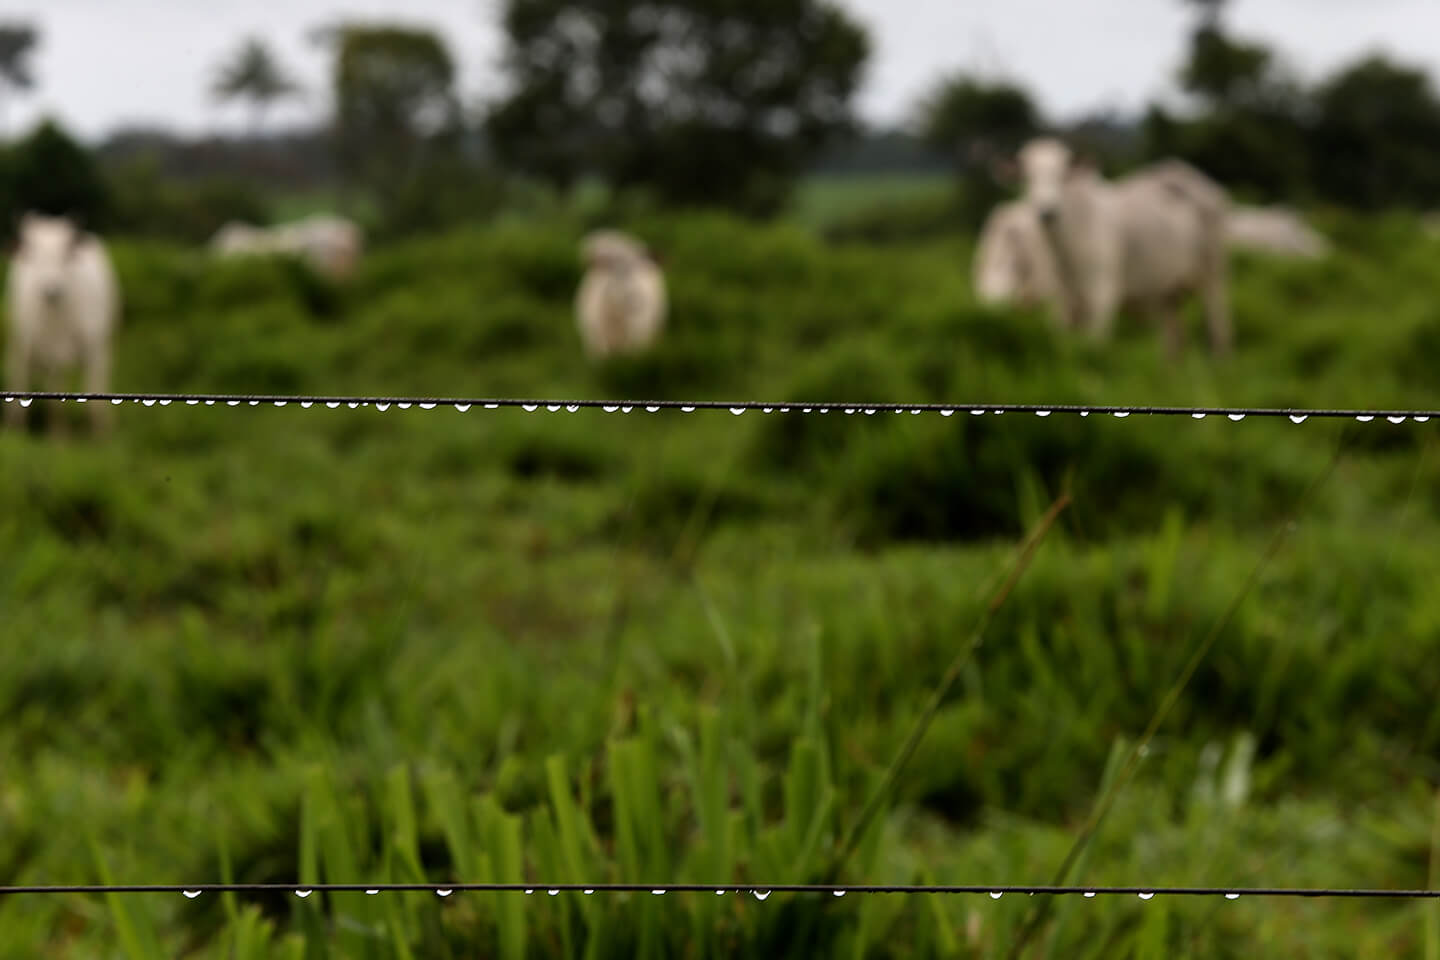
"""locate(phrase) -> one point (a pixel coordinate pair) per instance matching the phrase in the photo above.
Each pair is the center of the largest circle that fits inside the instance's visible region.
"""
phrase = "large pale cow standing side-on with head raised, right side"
(1147, 241)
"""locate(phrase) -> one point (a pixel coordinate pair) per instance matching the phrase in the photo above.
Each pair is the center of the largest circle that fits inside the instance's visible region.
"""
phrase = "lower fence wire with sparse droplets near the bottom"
(758, 890)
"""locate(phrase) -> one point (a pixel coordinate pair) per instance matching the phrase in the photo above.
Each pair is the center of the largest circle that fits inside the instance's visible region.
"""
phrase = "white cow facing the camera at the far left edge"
(63, 299)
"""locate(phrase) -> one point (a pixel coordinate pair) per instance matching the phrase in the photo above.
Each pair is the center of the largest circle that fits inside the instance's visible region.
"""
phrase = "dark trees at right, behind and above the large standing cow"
(1366, 137)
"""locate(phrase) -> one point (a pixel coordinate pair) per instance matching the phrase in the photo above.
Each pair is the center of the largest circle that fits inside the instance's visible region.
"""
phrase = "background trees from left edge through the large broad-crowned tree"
(683, 103)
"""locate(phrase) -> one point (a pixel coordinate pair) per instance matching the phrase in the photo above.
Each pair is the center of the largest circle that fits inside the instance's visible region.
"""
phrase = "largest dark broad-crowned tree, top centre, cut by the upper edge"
(706, 103)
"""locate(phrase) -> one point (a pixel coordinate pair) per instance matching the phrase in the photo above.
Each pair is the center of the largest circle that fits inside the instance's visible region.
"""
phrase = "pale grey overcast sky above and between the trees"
(119, 63)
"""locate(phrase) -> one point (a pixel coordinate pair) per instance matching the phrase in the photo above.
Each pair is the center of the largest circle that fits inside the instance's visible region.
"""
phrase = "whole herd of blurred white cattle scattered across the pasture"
(1075, 241)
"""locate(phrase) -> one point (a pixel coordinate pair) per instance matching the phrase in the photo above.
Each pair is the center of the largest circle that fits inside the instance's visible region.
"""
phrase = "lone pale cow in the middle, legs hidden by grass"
(621, 303)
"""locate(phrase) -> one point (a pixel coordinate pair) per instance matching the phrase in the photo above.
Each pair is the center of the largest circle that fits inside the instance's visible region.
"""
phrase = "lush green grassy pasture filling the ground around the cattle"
(361, 646)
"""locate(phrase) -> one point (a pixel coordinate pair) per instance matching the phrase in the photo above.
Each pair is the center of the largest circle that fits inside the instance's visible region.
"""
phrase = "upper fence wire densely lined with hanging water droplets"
(1297, 415)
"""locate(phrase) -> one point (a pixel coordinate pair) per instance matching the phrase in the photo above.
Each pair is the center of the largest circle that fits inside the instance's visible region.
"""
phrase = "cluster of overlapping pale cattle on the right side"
(1147, 241)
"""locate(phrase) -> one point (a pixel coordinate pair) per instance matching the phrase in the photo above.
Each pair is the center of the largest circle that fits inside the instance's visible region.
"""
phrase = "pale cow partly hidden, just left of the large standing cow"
(1013, 263)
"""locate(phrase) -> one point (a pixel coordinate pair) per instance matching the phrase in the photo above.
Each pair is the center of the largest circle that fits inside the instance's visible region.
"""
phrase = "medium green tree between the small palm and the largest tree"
(395, 107)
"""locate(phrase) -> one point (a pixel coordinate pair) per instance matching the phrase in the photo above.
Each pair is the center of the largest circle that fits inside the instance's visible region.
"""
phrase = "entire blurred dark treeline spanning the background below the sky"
(698, 104)
